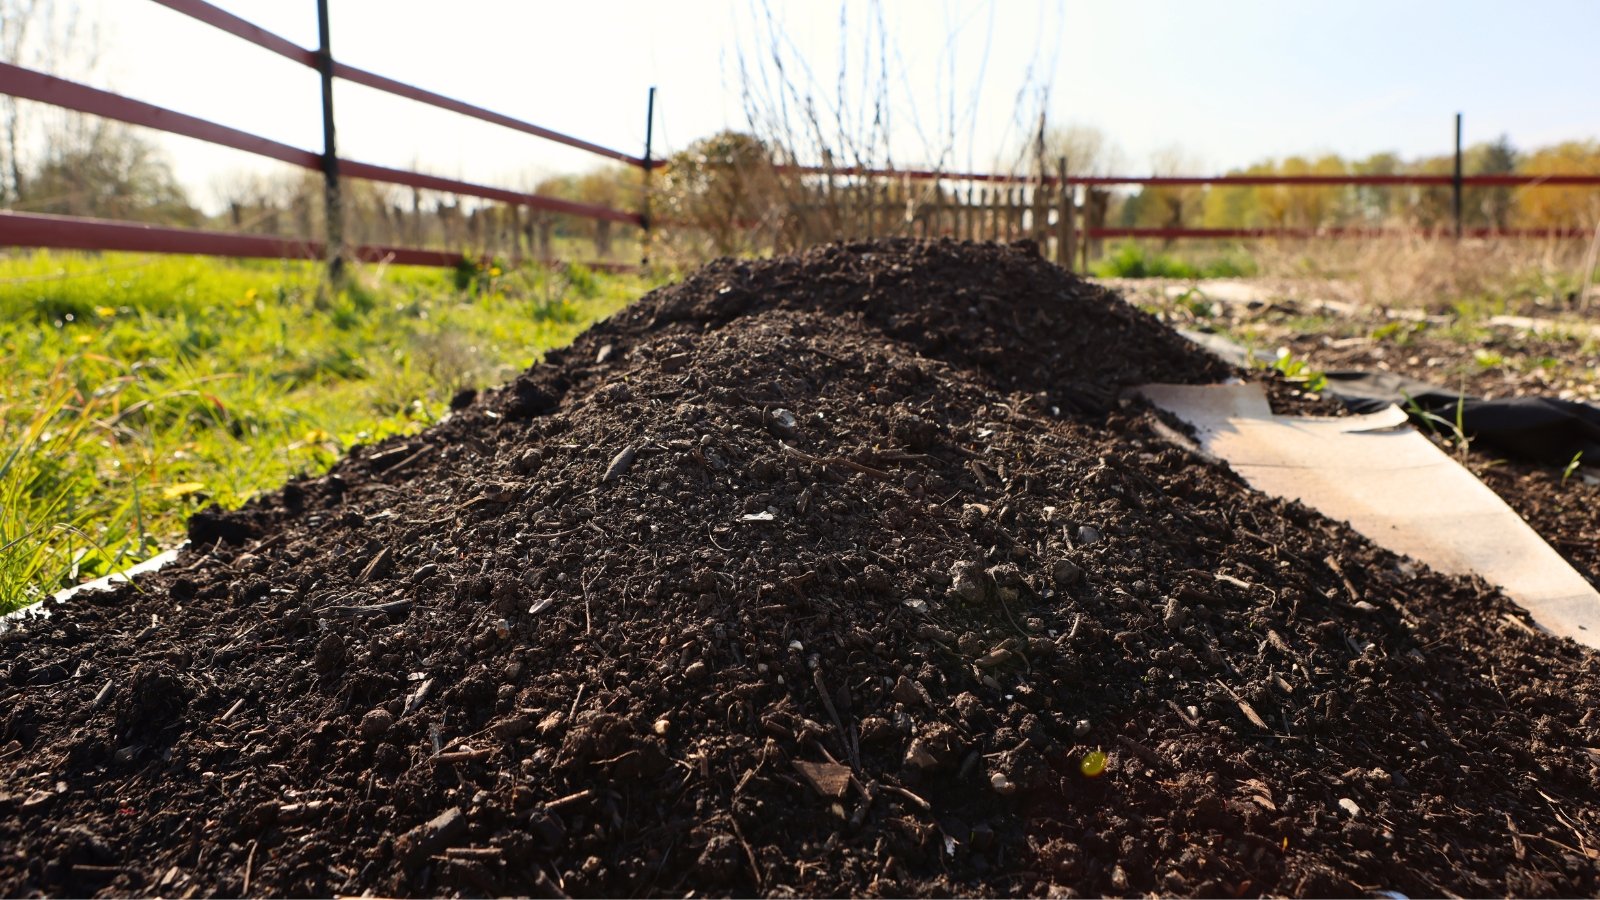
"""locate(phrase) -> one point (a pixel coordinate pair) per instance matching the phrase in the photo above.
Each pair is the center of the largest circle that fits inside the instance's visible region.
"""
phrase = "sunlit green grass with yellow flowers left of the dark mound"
(140, 388)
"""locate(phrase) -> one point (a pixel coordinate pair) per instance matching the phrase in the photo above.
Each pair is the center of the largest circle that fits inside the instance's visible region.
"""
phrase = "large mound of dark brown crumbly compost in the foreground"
(834, 574)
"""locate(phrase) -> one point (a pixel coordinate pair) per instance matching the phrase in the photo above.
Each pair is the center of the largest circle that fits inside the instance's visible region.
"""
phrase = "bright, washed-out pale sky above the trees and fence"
(1230, 82)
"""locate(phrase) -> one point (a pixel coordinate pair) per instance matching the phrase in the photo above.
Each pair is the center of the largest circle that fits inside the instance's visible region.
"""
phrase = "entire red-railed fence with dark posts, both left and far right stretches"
(23, 230)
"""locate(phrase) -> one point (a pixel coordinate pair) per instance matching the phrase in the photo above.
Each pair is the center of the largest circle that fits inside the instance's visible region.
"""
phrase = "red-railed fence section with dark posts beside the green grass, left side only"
(532, 214)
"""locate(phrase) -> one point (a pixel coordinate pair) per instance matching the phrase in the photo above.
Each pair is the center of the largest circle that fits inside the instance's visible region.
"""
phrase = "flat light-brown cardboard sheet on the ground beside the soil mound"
(1393, 486)
